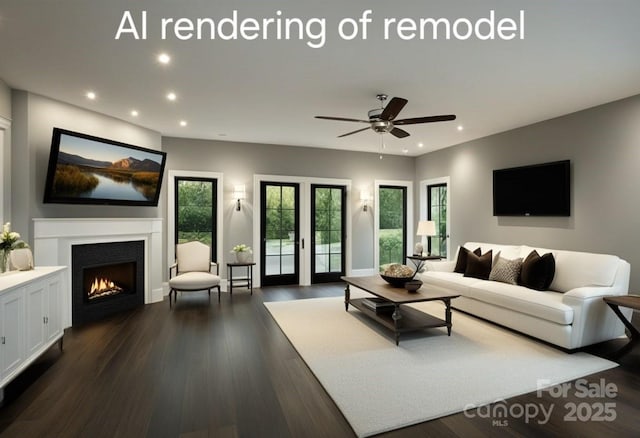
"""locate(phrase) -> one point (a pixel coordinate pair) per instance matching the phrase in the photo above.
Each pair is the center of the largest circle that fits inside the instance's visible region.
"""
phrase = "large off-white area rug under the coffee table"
(381, 387)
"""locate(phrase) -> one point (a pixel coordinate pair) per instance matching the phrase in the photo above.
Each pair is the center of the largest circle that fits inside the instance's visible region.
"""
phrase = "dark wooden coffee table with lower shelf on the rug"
(399, 318)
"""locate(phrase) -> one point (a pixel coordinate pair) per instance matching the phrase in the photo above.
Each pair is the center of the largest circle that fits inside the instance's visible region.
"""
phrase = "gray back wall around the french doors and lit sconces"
(240, 161)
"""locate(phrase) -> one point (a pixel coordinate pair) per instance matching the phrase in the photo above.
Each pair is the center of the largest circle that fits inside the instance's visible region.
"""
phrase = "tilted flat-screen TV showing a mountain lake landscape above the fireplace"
(84, 169)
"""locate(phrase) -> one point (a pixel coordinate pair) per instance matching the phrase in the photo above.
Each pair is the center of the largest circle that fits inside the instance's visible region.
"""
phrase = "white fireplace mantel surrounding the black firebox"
(53, 239)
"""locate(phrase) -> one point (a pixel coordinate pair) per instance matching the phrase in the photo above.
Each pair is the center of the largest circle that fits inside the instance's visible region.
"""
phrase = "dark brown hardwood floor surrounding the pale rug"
(226, 370)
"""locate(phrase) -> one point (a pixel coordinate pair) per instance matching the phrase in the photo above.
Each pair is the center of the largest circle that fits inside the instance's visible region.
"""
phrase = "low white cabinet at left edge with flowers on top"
(30, 317)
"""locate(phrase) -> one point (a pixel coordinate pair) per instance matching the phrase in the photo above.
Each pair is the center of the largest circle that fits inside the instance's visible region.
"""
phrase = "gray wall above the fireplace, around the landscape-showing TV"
(34, 118)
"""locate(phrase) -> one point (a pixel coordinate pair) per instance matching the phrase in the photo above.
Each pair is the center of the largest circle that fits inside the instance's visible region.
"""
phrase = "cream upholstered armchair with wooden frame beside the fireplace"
(192, 270)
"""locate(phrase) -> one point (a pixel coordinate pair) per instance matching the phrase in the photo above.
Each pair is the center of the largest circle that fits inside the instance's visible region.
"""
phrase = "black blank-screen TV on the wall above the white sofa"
(538, 190)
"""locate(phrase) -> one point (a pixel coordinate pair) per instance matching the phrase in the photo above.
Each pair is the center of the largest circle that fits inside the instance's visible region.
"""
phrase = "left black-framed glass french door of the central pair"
(280, 233)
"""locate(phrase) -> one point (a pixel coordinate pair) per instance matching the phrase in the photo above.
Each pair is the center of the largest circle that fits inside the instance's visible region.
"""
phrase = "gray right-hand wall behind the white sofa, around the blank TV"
(603, 144)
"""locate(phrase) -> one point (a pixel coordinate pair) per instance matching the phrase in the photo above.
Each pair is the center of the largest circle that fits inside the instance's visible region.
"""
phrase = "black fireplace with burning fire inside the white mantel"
(106, 278)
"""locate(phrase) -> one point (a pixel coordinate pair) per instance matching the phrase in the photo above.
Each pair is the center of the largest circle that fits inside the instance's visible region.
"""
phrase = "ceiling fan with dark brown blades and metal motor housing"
(382, 120)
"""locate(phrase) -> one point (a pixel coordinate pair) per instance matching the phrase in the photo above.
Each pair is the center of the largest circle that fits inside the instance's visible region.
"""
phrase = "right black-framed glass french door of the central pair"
(328, 225)
